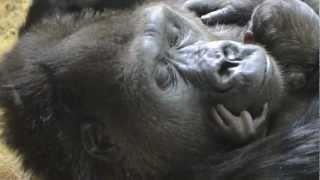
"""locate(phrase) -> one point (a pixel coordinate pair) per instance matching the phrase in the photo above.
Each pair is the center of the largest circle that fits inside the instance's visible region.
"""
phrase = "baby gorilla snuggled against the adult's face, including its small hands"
(298, 56)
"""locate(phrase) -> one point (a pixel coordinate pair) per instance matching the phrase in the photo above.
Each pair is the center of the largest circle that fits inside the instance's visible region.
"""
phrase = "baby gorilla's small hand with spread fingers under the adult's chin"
(238, 129)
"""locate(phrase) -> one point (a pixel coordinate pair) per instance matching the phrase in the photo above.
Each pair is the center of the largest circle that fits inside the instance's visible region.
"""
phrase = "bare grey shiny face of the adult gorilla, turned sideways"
(183, 58)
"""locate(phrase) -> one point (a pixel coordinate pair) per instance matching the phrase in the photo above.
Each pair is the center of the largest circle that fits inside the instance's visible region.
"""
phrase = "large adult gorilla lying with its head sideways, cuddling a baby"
(126, 94)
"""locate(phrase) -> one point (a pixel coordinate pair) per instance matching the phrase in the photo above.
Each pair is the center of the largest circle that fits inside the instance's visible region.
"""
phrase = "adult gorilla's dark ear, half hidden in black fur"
(96, 143)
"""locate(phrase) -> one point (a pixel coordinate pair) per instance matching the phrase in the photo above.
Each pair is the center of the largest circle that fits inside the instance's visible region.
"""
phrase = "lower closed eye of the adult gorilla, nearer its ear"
(164, 76)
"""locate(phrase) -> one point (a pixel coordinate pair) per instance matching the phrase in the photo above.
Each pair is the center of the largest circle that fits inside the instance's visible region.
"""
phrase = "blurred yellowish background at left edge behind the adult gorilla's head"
(12, 16)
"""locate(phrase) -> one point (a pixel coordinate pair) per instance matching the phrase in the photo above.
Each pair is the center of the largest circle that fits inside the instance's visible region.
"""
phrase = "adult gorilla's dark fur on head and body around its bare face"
(57, 82)
